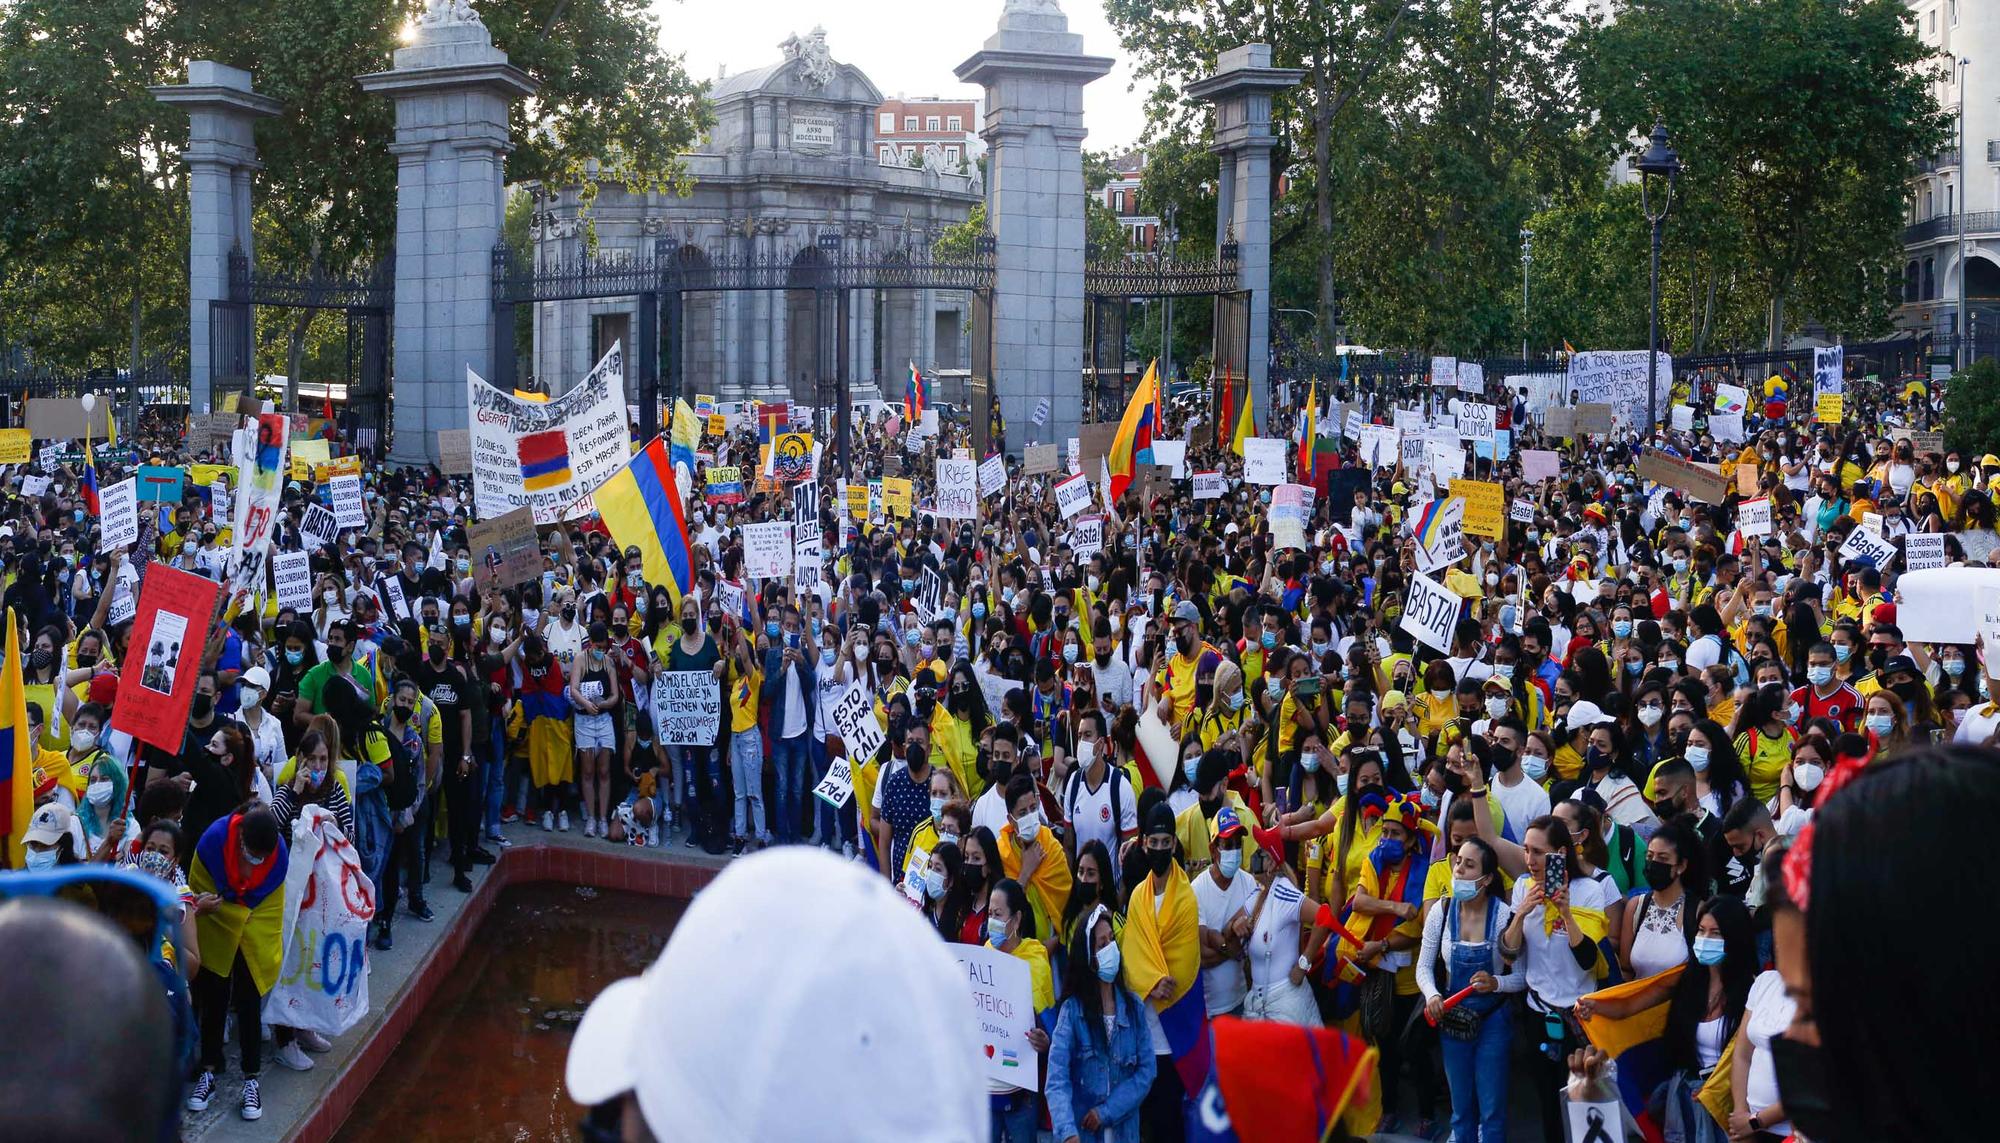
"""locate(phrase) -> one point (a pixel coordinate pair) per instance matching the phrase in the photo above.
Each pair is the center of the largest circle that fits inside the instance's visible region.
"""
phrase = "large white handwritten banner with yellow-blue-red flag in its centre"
(547, 455)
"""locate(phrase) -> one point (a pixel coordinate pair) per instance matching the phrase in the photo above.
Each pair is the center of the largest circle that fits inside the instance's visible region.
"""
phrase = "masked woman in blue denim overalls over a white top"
(1463, 938)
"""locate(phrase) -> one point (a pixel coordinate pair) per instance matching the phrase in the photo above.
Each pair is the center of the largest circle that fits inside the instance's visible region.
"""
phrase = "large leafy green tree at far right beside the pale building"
(1799, 123)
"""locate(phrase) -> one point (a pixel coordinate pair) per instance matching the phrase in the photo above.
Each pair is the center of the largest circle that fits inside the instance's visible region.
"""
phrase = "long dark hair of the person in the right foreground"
(1879, 848)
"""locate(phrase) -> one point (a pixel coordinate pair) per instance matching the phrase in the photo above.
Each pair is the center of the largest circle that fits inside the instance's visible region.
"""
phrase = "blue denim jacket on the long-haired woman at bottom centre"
(1109, 1076)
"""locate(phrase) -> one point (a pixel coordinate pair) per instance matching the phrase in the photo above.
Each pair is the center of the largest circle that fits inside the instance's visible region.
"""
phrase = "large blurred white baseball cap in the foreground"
(793, 952)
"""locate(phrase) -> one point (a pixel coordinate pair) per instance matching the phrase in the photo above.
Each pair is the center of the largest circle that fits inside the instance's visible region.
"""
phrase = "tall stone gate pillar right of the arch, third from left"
(1035, 73)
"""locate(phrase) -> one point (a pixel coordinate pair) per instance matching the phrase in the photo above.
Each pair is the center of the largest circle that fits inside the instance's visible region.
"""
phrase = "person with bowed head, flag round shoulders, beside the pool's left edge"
(241, 860)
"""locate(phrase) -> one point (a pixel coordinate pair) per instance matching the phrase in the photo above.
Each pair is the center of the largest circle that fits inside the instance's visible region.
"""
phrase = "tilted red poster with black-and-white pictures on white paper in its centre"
(165, 656)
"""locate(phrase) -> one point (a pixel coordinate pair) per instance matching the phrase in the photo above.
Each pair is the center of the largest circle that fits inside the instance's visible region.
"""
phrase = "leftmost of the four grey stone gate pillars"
(221, 155)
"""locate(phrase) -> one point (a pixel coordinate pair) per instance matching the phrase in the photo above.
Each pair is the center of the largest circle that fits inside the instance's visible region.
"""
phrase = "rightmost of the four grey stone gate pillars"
(1241, 93)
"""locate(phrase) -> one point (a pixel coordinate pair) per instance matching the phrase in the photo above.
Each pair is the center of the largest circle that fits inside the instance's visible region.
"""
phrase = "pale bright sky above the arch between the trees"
(907, 47)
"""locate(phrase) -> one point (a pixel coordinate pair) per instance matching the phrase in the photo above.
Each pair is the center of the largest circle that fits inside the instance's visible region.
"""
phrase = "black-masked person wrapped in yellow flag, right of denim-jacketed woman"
(1163, 962)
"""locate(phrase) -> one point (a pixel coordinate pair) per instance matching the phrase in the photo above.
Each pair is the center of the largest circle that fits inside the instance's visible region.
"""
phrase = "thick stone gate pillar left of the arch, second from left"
(453, 93)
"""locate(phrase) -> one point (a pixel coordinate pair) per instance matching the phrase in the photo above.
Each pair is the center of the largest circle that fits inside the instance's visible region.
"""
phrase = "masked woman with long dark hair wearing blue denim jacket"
(1101, 1062)
